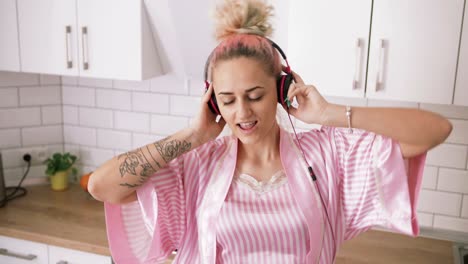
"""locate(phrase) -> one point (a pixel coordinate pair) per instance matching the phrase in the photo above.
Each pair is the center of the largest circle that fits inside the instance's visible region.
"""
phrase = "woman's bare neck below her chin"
(264, 150)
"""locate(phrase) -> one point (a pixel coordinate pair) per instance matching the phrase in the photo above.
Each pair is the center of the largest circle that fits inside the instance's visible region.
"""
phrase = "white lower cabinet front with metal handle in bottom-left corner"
(18, 251)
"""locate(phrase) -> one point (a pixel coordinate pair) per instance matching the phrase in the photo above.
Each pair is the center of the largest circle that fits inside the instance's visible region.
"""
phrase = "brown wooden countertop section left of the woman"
(70, 219)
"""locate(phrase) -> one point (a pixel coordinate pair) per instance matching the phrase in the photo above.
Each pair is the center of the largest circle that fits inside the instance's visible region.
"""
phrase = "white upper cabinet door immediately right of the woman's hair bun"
(328, 42)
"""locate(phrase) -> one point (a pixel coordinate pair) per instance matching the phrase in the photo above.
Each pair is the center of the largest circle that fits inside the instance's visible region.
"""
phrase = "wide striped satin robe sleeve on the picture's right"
(377, 187)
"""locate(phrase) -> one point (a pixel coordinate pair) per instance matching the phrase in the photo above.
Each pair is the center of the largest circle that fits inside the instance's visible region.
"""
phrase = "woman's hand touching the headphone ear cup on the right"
(311, 105)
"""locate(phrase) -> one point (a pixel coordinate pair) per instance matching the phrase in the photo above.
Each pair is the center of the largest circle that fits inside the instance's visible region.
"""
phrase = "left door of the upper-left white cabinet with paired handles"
(48, 36)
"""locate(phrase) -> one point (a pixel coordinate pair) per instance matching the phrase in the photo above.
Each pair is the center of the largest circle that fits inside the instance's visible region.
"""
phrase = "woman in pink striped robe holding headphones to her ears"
(251, 197)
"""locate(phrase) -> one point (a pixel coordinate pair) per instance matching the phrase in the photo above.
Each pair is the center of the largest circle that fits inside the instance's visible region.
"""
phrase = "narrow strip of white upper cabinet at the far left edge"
(9, 51)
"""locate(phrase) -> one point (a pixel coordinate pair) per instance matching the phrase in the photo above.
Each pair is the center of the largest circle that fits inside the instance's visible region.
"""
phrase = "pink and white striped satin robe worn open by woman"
(363, 179)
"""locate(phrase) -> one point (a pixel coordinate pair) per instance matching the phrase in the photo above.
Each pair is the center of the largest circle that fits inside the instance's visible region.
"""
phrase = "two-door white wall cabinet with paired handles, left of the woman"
(102, 39)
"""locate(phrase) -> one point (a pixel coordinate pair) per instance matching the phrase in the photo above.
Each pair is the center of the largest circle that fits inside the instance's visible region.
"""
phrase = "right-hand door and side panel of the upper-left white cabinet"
(115, 40)
